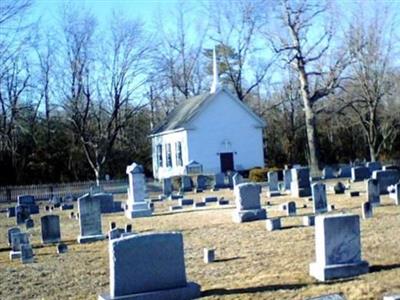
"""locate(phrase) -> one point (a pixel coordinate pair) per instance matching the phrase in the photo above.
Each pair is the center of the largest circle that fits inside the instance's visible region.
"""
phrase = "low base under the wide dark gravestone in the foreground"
(190, 291)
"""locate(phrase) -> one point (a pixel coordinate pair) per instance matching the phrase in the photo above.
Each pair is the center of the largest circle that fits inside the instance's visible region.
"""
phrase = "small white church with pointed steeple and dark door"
(216, 130)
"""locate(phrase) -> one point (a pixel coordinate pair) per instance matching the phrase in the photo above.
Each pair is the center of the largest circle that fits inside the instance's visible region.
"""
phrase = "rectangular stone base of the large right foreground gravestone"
(324, 273)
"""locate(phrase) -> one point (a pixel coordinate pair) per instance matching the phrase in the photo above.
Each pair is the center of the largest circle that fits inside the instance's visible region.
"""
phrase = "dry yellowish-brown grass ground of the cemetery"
(251, 262)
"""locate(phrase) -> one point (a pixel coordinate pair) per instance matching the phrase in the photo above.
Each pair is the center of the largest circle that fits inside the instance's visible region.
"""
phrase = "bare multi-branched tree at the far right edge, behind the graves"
(370, 96)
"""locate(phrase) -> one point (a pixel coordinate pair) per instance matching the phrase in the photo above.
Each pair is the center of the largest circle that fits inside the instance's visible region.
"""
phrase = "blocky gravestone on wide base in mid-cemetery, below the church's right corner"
(248, 205)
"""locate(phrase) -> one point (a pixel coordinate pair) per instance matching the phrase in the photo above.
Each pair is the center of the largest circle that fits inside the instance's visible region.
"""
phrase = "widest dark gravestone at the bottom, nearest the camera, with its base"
(149, 266)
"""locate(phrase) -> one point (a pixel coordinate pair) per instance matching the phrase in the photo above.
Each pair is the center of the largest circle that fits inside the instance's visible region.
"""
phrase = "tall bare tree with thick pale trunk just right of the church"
(307, 56)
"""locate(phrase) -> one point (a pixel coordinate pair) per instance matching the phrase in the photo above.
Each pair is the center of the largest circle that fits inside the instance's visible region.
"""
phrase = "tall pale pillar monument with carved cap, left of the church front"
(136, 205)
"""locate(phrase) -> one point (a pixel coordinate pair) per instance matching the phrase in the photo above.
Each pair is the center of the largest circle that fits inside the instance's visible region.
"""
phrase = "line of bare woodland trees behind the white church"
(78, 100)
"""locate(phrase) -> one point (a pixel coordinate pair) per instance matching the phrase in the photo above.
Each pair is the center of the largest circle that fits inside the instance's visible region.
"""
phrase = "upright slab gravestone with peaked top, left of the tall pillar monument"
(89, 219)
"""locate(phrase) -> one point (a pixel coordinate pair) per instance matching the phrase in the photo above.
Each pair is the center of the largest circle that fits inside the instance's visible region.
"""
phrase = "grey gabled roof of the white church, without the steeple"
(187, 109)
